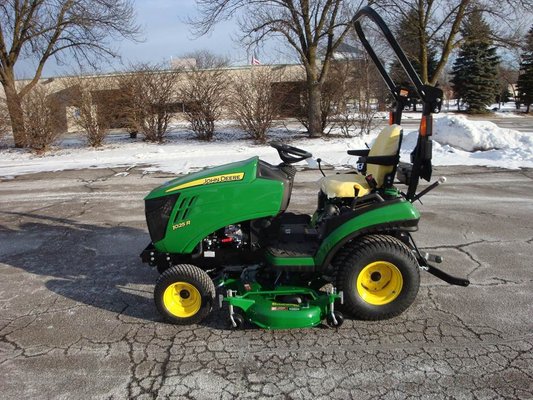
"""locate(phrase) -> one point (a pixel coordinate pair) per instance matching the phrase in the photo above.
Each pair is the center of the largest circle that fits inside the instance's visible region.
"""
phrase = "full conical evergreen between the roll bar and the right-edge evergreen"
(475, 71)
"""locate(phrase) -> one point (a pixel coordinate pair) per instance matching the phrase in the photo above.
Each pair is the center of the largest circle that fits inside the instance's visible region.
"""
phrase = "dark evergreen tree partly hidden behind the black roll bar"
(408, 37)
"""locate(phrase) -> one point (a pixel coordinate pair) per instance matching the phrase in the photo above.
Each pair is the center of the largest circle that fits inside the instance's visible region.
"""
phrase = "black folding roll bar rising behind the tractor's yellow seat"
(430, 96)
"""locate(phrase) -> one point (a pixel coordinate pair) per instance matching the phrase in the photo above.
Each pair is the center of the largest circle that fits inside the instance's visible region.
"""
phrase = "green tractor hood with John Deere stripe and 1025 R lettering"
(213, 198)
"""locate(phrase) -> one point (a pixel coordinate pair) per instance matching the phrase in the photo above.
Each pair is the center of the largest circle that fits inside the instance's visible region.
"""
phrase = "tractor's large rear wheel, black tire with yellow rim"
(379, 276)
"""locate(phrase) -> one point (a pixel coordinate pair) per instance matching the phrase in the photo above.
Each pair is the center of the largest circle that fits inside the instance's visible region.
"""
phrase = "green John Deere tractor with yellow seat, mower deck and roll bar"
(227, 227)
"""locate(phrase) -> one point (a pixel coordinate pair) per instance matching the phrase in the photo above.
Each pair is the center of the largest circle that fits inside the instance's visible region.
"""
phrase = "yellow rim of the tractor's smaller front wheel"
(182, 299)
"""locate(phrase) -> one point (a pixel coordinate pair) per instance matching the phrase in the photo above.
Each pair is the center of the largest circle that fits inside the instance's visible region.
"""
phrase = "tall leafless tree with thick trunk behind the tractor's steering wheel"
(305, 26)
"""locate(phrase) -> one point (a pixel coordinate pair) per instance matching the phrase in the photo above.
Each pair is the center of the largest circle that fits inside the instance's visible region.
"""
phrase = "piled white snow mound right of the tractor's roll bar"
(464, 134)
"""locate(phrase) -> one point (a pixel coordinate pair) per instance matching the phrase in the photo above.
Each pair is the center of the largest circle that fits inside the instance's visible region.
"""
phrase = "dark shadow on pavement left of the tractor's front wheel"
(97, 265)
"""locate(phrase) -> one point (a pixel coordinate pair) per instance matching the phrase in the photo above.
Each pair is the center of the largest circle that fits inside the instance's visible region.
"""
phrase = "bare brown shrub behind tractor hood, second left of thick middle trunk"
(204, 93)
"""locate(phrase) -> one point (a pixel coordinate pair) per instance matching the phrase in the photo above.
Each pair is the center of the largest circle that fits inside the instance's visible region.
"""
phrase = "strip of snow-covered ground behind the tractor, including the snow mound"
(457, 141)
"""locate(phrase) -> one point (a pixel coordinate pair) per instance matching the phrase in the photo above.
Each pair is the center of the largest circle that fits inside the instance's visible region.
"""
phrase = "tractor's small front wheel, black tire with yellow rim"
(184, 294)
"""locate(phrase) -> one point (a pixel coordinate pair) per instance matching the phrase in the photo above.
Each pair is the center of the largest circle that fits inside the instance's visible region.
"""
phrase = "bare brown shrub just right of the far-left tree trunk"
(40, 127)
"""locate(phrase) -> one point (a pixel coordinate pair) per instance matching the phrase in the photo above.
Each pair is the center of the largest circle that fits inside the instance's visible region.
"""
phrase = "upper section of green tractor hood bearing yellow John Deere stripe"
(241, 171)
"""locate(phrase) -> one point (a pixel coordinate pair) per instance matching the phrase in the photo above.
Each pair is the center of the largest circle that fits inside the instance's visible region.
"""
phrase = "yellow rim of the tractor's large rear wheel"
(379, 283)
